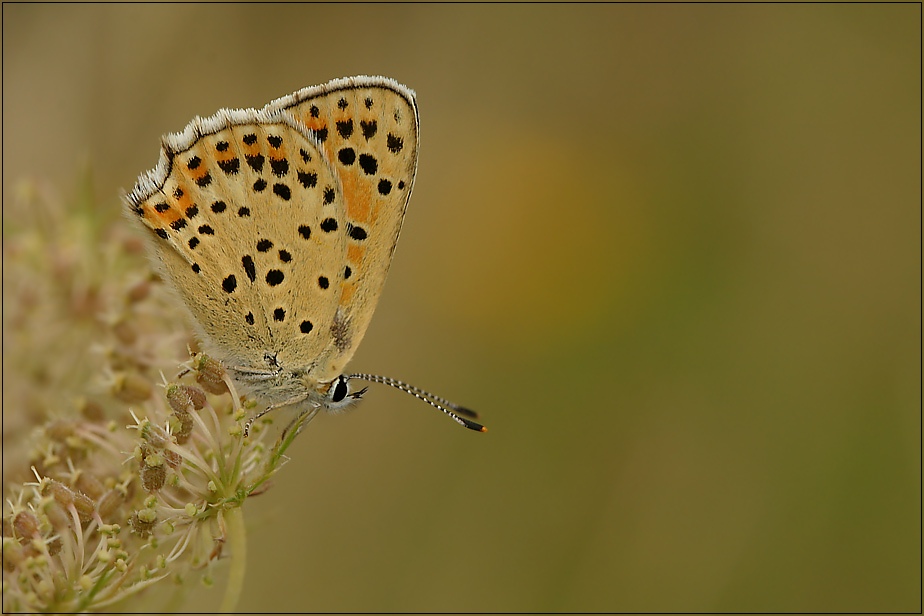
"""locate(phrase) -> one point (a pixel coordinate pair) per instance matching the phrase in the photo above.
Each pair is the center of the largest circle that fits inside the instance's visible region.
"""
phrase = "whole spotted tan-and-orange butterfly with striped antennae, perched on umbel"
(276, 228)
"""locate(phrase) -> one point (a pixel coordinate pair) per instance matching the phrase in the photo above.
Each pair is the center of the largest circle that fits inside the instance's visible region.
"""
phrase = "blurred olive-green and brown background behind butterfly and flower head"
(671, 253)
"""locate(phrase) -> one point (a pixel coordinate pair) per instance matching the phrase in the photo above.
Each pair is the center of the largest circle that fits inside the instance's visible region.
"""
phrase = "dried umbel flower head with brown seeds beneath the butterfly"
(115, 478)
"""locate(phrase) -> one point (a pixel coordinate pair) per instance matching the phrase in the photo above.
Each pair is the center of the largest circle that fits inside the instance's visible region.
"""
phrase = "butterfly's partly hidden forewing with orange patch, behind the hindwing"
(368, 129)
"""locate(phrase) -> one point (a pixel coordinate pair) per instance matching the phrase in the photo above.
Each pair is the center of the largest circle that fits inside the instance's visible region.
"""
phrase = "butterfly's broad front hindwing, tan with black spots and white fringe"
(246, 217)
